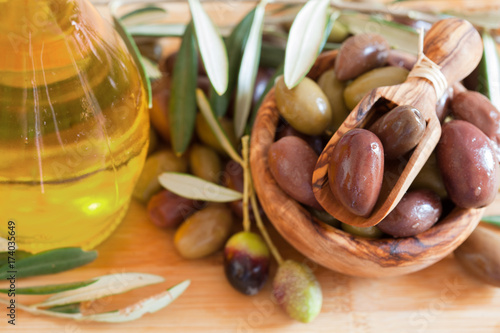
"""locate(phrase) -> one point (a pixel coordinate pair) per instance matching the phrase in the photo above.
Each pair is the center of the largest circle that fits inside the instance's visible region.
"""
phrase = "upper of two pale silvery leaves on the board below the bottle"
(103, 286)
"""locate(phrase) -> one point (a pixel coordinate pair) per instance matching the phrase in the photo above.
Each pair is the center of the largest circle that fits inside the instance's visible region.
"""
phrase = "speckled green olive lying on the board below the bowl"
(298, 292)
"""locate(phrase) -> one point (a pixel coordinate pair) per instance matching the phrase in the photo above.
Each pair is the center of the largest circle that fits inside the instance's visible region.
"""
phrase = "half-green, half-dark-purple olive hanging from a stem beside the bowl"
(246, 262)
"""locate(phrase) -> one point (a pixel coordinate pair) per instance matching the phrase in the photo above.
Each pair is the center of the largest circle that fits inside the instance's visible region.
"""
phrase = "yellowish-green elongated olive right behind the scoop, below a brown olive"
(378, 77)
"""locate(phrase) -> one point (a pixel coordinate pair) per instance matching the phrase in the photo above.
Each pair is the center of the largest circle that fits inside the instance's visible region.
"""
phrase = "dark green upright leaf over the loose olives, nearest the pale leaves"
(182, 108)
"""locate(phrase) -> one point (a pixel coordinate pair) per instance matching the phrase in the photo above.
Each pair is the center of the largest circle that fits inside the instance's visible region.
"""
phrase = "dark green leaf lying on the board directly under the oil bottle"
(49, 262)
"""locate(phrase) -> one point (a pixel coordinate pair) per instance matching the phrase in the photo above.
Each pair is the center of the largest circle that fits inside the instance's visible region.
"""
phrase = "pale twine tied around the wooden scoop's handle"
(427, 69)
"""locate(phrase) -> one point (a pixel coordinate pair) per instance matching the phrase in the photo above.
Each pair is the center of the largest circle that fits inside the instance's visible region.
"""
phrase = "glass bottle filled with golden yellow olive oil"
(73, 124)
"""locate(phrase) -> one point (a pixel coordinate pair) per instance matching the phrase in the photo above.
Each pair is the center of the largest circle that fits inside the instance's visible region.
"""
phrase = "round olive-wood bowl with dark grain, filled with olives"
(334, 248)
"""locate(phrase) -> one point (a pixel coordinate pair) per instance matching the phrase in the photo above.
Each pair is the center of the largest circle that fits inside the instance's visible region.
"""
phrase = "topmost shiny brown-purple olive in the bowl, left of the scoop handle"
(359, 54)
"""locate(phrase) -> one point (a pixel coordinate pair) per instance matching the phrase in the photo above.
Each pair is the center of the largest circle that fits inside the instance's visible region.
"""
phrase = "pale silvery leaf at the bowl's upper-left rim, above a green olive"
(305, 40)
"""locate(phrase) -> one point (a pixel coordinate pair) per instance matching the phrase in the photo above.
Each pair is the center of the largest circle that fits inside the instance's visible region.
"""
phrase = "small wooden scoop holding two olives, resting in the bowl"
(455, 46)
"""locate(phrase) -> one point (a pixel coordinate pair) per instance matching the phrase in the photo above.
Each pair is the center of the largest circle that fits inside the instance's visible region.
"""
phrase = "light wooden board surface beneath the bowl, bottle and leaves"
(441, 298)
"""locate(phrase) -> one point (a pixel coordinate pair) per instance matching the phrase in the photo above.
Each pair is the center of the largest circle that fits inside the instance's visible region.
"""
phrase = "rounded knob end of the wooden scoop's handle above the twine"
(456, 46)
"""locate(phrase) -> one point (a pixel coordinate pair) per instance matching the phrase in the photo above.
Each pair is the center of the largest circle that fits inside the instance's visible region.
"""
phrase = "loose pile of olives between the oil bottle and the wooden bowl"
(202, 228)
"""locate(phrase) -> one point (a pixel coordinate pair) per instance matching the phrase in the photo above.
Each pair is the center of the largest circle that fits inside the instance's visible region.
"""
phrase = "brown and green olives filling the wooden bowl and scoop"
(463, 171)
